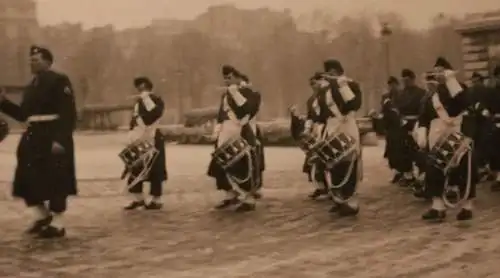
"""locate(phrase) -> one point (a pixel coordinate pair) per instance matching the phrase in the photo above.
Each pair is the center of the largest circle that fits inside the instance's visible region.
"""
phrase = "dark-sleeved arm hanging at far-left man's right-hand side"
(66, 109)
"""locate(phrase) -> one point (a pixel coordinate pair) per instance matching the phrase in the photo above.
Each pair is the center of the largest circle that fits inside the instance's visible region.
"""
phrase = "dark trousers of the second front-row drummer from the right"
(338, 174)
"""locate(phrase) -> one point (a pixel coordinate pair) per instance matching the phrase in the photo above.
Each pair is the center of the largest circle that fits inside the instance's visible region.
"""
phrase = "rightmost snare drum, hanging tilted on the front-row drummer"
(449, 150)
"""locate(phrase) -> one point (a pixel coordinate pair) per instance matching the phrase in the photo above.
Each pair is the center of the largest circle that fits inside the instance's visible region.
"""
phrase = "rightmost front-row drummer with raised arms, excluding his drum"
(442, 114)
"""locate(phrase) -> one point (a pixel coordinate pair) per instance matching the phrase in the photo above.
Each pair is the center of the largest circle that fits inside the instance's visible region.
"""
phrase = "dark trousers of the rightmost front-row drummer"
(435, 178)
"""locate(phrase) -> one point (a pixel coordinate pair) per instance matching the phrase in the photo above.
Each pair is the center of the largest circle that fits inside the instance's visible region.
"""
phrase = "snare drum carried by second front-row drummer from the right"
(335, 148)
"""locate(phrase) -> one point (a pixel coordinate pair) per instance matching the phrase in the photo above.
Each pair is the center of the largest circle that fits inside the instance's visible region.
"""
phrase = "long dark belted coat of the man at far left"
(41, 174)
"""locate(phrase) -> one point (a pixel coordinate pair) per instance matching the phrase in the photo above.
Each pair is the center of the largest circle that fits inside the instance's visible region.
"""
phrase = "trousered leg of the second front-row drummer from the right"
(345, 174)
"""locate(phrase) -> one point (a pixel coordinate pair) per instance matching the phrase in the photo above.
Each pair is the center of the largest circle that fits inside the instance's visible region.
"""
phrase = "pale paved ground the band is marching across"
(287, 236)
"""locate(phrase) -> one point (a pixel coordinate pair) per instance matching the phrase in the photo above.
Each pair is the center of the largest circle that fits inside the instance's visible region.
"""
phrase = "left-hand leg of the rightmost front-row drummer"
(434, 180)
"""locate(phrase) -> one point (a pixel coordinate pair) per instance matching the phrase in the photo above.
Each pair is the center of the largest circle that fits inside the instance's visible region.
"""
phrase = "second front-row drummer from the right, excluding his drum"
(341, 101)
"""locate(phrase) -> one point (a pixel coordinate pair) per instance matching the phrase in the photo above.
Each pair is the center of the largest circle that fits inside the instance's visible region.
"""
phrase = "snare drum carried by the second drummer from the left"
(231, 152)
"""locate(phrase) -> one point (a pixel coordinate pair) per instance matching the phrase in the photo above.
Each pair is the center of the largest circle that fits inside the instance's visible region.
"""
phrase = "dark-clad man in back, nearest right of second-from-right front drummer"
(392, 123)
